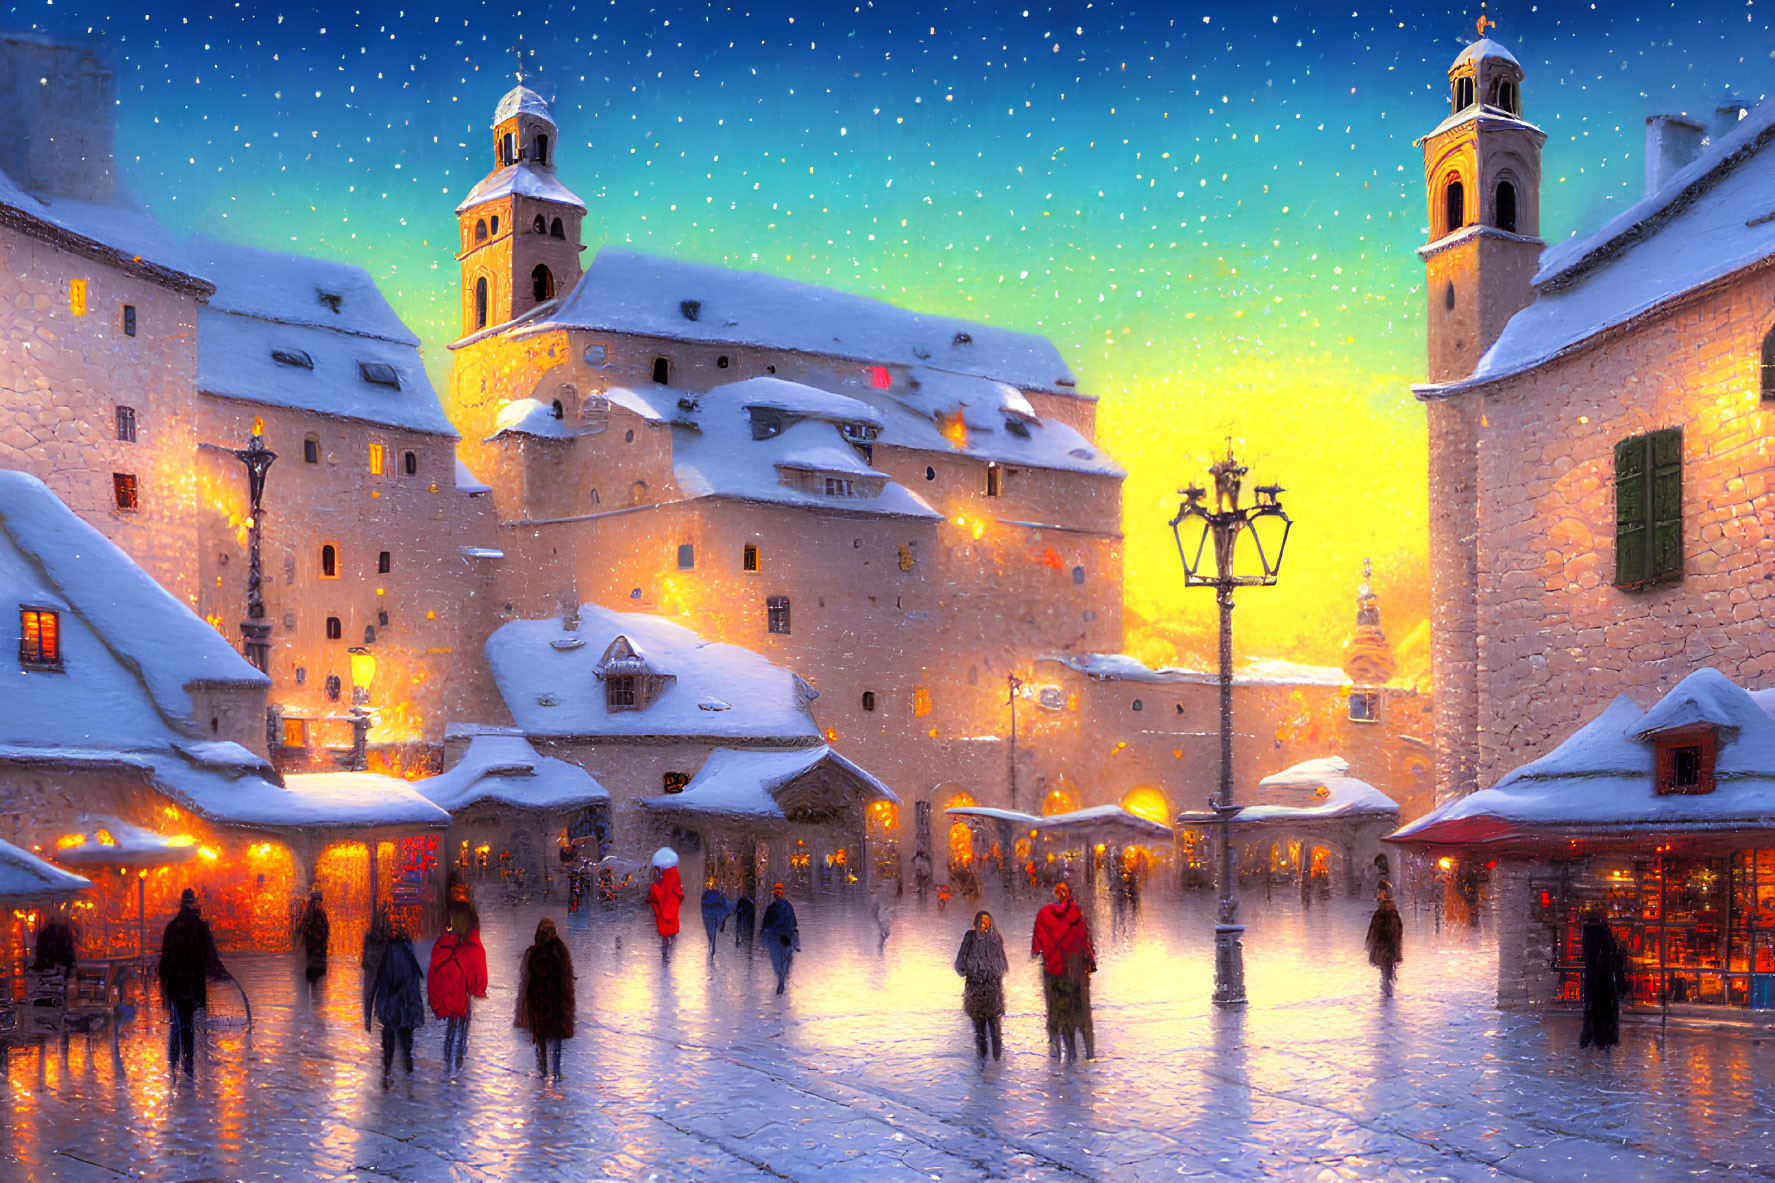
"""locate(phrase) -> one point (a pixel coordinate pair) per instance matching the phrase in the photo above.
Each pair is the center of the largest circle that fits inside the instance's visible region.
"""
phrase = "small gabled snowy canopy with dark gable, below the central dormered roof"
(773, 786)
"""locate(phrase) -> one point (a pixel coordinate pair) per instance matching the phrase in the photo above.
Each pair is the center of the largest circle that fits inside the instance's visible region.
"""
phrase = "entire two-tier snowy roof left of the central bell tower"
(312, 335)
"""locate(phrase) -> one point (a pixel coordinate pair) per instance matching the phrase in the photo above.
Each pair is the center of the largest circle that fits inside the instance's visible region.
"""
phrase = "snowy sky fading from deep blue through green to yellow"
(1211, 209)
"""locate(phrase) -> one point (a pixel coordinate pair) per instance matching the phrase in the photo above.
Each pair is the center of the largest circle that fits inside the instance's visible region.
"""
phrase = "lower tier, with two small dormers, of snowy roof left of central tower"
(235, 360)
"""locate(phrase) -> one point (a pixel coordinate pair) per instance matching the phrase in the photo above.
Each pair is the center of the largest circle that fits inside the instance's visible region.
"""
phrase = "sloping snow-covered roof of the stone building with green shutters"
(1708, 221)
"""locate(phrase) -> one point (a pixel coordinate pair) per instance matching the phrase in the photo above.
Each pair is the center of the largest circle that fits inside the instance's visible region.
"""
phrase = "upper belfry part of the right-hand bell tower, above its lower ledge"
(1483, 180)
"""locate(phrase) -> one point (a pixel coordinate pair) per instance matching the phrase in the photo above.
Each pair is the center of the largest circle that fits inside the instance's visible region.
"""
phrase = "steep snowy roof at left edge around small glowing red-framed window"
(56, 560)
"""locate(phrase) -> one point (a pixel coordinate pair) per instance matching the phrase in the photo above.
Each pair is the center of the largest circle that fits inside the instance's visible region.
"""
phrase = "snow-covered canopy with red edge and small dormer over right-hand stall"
(1604, 781)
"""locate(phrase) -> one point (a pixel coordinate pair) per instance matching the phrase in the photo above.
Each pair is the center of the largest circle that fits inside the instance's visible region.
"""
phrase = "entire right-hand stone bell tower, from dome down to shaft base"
(1483, 182)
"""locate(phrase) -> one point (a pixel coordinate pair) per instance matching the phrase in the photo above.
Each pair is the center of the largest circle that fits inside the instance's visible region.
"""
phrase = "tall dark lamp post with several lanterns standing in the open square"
(1197, 528)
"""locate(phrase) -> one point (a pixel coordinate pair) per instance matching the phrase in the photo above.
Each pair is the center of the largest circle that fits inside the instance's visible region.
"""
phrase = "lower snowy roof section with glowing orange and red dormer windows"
(998, 424)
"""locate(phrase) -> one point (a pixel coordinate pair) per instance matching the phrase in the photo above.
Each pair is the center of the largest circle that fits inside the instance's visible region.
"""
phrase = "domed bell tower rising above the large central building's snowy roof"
(521, 226)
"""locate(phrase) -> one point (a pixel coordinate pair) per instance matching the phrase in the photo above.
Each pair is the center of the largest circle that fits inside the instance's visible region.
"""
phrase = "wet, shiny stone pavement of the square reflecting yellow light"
(865, 1070)
